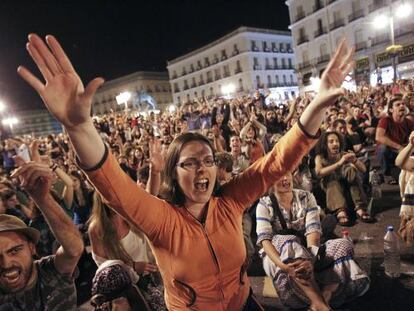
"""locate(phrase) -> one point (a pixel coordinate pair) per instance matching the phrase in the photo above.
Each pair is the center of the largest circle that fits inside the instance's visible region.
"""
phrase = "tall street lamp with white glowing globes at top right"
(381, 21)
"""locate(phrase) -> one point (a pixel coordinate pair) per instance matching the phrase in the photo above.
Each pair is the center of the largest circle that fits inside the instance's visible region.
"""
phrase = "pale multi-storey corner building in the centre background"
(245, 59)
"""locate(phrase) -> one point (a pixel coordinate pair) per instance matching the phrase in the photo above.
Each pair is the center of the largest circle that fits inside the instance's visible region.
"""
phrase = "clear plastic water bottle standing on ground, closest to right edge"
(391, 253)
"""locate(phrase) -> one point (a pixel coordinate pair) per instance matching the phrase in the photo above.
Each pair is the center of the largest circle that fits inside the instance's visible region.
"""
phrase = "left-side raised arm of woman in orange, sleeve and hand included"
(70, 103)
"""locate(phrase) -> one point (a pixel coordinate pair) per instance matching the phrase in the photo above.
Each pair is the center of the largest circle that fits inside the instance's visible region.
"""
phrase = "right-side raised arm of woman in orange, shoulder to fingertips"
(298, 141)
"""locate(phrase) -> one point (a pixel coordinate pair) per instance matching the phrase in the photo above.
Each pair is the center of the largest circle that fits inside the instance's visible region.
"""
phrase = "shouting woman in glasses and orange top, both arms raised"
(195, 232)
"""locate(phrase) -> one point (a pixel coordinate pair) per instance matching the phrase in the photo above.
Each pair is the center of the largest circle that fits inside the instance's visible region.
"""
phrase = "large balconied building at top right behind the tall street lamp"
(318, 25)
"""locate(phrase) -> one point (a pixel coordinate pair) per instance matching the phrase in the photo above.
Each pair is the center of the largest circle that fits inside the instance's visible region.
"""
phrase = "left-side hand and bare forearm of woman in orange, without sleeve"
(65, 96)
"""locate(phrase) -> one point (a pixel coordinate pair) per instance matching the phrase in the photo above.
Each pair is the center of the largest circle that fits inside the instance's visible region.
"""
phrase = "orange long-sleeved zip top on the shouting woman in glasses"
(201, 265)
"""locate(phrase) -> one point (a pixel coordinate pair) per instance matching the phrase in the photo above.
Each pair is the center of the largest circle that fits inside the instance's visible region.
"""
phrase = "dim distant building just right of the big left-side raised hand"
(149, 91)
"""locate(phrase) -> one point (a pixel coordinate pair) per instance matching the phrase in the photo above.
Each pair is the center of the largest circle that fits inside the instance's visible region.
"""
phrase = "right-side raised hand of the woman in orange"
(332, 78)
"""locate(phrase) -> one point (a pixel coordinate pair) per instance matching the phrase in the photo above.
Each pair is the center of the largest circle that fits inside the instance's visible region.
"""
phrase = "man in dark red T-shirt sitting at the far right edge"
(391, 135)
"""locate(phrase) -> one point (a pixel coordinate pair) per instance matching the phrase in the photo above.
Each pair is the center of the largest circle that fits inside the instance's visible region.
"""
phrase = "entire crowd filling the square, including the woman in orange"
(172, 207)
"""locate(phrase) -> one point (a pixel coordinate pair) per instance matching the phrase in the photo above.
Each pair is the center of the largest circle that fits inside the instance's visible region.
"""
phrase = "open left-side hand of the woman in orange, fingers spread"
(63, 92)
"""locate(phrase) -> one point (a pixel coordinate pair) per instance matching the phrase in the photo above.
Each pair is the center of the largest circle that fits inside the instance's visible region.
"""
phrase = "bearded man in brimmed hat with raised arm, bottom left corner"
(47, 283)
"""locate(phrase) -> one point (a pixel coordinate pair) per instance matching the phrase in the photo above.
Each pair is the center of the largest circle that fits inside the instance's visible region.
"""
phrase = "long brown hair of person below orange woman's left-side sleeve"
(100, 220)
